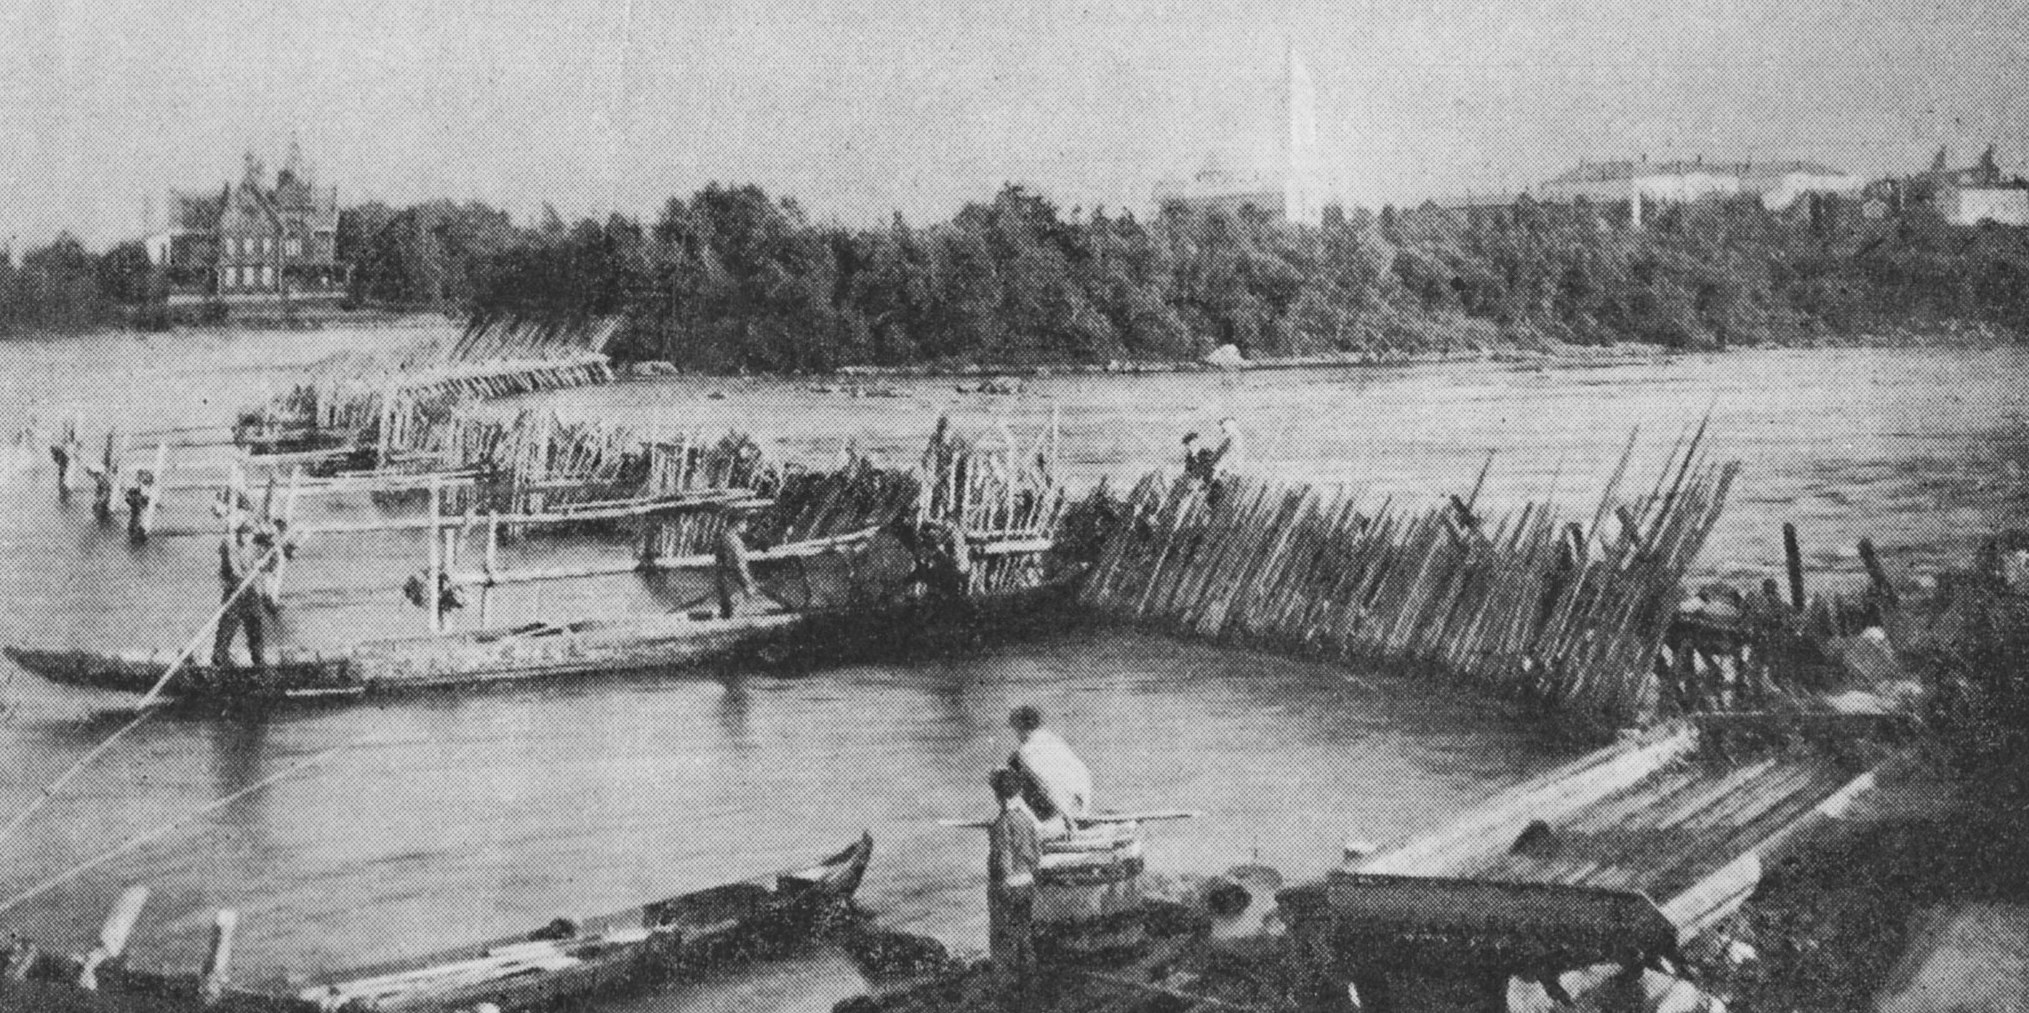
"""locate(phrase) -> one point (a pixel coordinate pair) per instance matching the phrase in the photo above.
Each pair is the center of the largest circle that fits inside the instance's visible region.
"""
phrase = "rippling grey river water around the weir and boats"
(468, 817)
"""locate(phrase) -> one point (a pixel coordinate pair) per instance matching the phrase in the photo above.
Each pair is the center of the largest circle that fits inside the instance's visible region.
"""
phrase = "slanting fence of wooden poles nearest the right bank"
(1561, 616)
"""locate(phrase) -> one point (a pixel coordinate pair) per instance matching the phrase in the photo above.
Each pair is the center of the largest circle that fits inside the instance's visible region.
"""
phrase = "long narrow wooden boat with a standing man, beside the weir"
(553, 651)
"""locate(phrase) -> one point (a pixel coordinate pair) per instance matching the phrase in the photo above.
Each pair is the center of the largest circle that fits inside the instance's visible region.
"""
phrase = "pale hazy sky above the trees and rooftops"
(865, 109)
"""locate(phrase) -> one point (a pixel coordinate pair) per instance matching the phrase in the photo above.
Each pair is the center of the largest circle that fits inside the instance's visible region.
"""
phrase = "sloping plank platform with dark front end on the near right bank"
(1551, 880)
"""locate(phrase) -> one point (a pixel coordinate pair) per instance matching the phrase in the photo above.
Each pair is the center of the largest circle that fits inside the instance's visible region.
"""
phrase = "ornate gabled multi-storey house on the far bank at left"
(255, 241)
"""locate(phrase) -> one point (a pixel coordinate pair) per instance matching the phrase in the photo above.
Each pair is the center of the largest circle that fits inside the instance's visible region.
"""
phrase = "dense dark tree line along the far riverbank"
(736, 279)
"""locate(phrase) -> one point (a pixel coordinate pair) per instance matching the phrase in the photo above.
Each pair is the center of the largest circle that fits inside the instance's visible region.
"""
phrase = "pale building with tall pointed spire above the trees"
(1291, 188)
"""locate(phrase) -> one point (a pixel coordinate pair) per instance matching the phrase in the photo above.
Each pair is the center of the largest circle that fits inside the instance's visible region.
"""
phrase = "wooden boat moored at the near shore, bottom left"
(555, 965)
